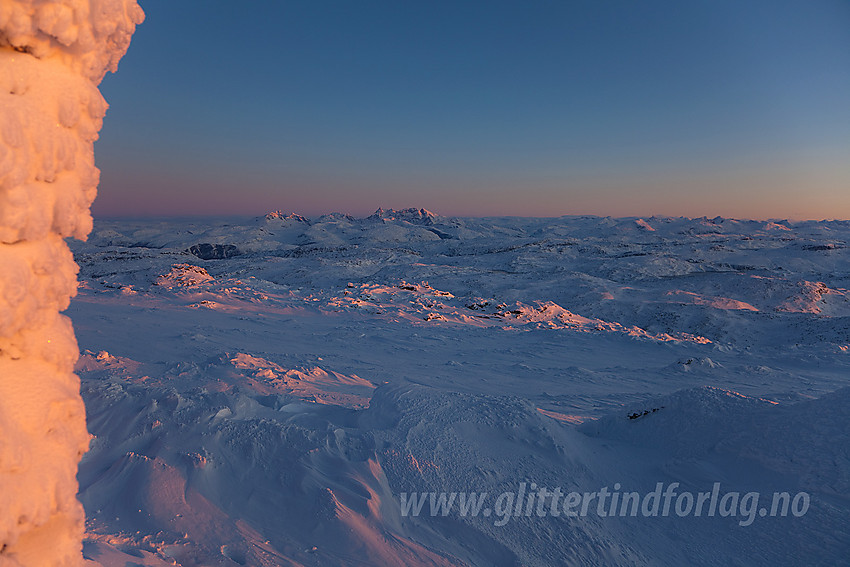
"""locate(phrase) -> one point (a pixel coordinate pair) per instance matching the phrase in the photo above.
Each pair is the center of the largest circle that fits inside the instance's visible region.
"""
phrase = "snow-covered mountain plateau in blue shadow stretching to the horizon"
(270, 391)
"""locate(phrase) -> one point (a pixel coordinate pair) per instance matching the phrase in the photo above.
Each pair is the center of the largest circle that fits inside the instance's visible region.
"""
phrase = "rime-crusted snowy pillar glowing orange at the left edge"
(53, 54)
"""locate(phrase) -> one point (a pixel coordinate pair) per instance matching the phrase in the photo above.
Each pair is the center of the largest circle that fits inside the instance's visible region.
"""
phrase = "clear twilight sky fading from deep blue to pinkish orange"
(541, 108)
